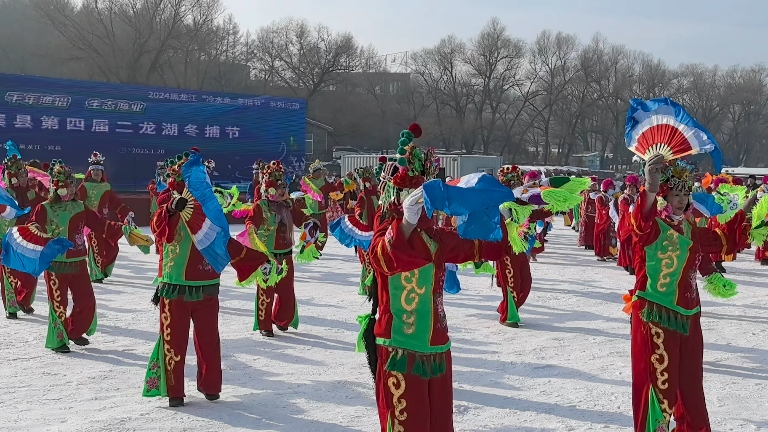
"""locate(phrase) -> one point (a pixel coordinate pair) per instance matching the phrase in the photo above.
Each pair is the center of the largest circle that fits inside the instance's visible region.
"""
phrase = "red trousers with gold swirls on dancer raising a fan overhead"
(670, 364)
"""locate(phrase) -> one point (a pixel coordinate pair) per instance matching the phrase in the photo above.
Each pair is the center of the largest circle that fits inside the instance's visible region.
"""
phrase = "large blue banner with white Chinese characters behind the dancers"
(135, 127)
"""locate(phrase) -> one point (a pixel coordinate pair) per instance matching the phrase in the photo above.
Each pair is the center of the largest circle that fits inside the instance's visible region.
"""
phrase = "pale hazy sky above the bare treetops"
(724, 32)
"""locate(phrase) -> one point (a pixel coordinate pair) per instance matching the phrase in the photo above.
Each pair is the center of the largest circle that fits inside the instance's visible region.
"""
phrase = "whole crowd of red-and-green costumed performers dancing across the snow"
(651, 226)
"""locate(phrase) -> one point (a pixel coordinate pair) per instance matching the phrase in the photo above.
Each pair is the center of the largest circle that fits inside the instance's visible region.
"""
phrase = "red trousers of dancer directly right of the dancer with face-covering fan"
(277, 304)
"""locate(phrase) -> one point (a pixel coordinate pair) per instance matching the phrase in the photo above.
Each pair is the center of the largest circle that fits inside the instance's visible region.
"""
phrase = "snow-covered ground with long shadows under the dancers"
(566, 369)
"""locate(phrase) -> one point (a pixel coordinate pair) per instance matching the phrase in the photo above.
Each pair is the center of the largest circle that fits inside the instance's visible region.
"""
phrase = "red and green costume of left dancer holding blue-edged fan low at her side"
(68, 273)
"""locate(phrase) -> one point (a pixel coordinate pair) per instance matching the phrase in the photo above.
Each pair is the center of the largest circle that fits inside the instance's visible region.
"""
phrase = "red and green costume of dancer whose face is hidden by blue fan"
(187, 290)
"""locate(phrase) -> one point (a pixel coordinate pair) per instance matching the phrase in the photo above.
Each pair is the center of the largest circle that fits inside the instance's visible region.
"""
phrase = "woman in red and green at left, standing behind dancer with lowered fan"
(97, 194)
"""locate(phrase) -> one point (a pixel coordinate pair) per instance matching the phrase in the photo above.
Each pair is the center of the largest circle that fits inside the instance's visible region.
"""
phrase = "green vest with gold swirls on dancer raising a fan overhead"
(664, 262)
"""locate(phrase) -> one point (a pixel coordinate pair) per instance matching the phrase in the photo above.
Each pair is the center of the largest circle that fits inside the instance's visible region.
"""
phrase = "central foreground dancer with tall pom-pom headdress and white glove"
(408, 345)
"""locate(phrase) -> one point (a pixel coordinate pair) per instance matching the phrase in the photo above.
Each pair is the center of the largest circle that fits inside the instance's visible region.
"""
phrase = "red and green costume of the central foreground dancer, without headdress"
(414, 389)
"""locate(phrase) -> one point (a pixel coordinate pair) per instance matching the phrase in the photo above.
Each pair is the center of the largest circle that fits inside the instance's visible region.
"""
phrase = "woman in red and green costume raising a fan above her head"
(667, 344)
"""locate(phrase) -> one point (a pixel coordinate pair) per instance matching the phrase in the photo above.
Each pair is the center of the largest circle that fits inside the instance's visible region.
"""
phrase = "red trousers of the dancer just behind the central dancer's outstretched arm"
(513, 275)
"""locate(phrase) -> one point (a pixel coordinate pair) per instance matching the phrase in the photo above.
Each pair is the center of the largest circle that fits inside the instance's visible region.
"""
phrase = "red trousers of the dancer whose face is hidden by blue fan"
(175, 316)
